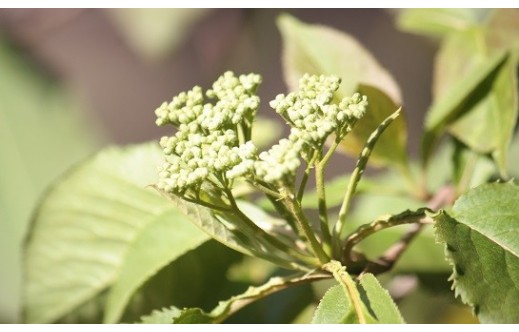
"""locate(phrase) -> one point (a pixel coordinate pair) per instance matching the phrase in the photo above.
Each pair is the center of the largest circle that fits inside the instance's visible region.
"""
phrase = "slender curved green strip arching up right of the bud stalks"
(356, 176)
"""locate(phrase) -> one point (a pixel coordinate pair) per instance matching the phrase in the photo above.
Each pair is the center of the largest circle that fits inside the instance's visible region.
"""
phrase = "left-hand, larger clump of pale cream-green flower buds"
(207, 138)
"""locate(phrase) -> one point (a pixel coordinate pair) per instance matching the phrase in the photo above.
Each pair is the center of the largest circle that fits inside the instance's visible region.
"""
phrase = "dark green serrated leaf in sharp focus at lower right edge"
(480, 236)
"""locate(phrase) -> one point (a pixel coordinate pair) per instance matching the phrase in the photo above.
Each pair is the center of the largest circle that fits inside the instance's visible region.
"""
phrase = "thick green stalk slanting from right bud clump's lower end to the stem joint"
(303, 225)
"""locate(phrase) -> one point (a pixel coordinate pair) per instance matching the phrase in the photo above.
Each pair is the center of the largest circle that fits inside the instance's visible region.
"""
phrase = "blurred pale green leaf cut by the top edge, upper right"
(438, 22)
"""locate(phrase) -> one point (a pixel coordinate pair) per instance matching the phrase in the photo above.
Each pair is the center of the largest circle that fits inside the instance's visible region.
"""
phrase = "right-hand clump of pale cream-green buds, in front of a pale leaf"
(313, 117)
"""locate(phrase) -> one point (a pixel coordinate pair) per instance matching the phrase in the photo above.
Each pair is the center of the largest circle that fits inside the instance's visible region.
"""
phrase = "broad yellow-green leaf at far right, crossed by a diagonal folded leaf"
(487, 123)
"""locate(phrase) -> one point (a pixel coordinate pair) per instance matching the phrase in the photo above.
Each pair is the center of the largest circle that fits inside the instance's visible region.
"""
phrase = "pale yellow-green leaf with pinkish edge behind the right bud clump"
(319, 50)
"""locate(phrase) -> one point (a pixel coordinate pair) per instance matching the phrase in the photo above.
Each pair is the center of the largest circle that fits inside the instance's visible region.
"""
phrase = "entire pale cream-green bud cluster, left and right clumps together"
(213, 140)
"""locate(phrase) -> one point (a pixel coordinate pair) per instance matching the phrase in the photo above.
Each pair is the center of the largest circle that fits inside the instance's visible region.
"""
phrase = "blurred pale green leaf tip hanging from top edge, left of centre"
(155, 32)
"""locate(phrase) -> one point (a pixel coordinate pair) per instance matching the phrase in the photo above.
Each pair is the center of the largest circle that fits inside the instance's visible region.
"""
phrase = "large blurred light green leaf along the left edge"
(42, 132)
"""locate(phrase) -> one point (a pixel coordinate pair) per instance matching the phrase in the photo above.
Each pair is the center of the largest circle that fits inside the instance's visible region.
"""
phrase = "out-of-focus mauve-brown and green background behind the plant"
(75, 80)
